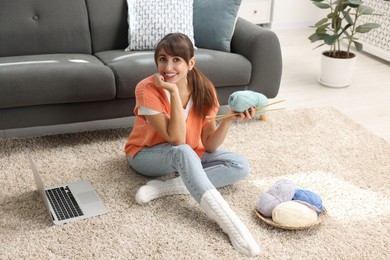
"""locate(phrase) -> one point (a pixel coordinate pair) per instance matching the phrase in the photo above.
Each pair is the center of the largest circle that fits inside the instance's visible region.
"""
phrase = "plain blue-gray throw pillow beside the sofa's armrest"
(214, 23)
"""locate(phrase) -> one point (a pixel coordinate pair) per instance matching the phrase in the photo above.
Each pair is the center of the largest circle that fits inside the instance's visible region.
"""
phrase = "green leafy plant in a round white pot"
(340, 26)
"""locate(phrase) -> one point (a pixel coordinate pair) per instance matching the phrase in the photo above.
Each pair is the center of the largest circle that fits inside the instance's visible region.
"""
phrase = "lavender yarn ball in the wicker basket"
(281, 191)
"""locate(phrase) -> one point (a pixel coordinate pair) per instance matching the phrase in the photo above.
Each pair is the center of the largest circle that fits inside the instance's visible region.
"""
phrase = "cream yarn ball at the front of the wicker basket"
(294, 214)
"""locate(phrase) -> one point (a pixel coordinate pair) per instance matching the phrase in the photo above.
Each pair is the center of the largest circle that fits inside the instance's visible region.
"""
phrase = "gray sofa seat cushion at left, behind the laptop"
(54, 78)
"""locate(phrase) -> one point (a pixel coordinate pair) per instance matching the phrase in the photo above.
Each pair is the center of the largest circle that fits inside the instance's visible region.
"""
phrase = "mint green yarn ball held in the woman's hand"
(240, 101)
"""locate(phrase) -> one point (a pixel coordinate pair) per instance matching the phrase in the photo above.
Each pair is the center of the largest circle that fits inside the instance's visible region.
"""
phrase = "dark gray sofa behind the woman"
(63, 62)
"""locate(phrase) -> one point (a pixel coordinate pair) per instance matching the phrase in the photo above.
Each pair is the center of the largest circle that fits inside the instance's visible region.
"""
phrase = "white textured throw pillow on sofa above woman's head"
(150, 20)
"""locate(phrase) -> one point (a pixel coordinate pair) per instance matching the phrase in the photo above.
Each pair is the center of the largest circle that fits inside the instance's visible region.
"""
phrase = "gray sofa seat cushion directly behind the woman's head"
(222, 68)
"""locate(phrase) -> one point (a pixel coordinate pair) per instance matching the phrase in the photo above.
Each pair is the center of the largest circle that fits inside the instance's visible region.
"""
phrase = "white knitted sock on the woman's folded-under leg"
(156, 188)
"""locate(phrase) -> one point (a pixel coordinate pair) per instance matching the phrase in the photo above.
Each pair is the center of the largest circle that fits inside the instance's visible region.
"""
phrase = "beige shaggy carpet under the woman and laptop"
(319, 149)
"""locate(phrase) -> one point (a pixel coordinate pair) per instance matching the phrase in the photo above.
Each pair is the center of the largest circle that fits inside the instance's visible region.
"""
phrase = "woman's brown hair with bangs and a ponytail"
(202, 90)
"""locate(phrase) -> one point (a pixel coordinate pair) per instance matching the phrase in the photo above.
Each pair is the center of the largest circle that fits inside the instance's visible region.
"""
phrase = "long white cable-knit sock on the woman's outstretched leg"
(219, 210)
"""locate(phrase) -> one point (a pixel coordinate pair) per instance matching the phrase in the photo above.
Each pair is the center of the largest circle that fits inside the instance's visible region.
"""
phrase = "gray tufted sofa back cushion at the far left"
(43, 27)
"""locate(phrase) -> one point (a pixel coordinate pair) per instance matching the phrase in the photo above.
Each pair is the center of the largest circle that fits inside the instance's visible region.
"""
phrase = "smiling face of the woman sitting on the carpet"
(174, 69)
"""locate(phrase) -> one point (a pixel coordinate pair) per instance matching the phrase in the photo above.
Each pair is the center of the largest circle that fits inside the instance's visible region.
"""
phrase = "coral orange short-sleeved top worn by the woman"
(148, 95)
